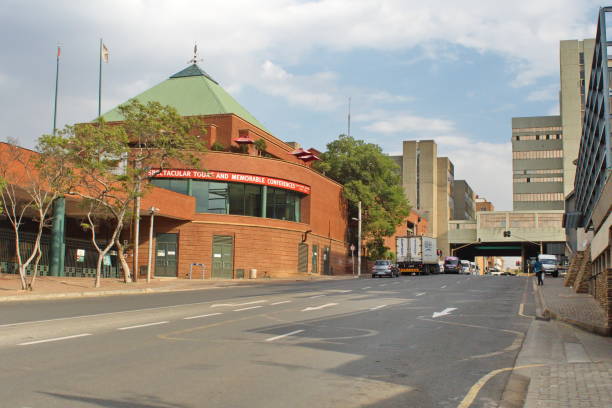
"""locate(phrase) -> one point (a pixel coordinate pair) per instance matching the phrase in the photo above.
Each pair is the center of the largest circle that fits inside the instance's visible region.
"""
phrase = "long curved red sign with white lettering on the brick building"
(230, 177)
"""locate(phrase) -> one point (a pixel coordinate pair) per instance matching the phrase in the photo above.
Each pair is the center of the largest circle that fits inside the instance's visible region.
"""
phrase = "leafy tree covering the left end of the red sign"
(158, 136)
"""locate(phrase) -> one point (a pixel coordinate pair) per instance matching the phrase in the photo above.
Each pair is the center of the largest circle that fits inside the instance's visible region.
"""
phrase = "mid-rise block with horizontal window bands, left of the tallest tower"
(537, 163)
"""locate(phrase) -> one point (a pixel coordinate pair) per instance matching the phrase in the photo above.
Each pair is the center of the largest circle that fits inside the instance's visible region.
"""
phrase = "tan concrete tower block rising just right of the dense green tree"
(427, 181)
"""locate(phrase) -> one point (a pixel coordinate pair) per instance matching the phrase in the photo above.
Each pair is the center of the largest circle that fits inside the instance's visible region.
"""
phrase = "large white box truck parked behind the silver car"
(417, 254)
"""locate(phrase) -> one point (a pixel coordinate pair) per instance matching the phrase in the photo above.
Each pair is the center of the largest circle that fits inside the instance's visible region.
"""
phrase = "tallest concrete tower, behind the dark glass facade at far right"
(575, 71)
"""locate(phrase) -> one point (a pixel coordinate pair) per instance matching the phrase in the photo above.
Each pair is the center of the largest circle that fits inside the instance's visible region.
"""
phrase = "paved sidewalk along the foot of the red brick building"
(53, 287)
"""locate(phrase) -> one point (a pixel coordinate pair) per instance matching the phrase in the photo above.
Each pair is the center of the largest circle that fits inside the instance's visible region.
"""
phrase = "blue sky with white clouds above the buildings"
(456, 72)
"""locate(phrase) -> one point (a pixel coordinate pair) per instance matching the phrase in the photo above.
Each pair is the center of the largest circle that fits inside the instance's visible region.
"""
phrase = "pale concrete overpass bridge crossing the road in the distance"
(508, 233)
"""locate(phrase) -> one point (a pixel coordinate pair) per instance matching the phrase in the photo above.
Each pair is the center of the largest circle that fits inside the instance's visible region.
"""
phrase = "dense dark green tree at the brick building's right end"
(369, 176)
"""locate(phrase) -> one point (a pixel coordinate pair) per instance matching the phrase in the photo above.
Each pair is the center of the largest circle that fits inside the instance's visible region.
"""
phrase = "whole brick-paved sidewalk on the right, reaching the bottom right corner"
(565, 366)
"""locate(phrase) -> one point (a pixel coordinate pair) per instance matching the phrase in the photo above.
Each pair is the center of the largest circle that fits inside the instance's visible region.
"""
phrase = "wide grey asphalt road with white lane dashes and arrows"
(404, 342)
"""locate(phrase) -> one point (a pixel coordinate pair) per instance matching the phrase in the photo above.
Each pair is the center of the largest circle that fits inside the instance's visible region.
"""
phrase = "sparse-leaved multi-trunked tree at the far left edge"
(29, 184)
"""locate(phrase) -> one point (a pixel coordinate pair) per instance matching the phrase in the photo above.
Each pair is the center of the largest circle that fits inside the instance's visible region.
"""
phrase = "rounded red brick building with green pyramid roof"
(253, 207)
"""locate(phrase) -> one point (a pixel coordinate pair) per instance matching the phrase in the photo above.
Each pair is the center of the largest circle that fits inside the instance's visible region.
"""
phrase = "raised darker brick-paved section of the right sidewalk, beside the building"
(578, 309)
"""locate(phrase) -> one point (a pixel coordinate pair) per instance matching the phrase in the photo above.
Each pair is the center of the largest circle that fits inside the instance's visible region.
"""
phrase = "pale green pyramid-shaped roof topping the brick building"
(191, 92)
